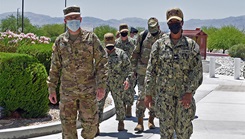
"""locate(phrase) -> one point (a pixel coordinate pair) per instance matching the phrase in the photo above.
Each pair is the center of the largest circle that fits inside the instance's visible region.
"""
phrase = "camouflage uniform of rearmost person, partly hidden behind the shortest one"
(128, 46)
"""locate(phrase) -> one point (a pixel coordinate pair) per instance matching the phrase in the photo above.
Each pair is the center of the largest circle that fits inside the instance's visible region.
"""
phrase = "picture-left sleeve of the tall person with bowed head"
(136, 54)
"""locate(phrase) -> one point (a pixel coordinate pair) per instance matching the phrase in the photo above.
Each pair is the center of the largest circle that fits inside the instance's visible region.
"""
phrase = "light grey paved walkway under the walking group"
(220, 111)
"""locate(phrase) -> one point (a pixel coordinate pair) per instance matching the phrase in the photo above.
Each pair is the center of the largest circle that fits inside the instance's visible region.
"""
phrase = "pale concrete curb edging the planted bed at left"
(47, 129)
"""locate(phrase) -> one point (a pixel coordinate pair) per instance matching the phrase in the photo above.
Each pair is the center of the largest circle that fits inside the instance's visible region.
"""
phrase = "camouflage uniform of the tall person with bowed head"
(139, 61)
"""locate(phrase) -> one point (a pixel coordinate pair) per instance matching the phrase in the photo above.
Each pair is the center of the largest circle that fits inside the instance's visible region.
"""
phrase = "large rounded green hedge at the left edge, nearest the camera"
(23, 87)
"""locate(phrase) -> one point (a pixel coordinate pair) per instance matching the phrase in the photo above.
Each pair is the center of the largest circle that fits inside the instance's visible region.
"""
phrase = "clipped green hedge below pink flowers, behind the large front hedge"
(42, 52)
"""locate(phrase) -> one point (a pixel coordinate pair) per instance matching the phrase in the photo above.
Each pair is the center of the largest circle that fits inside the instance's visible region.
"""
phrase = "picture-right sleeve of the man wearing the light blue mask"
(100, 60)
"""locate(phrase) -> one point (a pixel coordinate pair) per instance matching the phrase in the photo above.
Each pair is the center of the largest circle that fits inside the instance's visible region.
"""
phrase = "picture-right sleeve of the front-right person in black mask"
(195, 75)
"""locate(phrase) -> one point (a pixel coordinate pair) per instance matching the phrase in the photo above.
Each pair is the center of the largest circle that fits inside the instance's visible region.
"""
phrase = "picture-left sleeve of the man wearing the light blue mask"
(55, 68)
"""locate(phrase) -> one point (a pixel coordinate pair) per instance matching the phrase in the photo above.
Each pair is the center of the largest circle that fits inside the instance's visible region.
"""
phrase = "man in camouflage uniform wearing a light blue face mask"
(78, 60)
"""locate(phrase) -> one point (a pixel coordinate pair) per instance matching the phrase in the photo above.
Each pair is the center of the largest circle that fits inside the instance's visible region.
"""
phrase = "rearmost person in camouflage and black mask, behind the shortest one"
(127, 44)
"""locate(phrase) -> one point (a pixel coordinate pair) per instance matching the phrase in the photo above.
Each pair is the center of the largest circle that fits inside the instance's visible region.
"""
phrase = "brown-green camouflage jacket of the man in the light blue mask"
(77, 62)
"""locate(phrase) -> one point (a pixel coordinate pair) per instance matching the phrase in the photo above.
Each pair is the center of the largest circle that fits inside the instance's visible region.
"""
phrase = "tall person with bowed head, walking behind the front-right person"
(139, 61)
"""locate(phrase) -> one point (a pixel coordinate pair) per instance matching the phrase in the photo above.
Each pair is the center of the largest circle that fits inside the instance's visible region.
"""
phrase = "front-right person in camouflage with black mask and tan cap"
(175, 71)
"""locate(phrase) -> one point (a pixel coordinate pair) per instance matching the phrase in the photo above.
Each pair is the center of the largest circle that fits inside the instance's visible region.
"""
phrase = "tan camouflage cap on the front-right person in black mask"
(174, 13)
